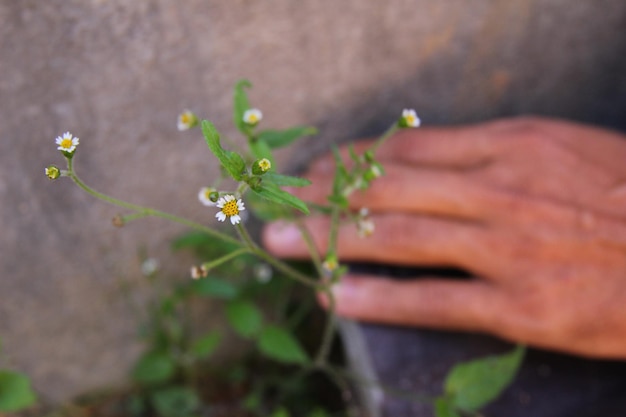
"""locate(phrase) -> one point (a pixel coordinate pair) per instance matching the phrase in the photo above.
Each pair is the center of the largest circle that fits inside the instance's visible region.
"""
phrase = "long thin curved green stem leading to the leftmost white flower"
(147, 211)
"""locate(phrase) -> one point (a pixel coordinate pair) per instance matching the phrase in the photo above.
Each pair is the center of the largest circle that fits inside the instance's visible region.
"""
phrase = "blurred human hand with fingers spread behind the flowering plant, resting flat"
(534, 209)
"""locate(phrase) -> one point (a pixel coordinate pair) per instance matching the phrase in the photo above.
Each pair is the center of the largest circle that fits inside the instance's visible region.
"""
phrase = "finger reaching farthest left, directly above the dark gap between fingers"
(398, 238)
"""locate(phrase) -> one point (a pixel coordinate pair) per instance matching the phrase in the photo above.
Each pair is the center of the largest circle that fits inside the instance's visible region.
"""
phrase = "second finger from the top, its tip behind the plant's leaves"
(414, 190)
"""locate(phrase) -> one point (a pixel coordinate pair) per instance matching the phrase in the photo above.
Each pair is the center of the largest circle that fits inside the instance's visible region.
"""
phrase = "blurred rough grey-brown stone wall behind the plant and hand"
(117, 73)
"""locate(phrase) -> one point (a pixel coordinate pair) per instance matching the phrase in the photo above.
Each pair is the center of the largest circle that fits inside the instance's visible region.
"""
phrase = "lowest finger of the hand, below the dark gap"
(434, 303)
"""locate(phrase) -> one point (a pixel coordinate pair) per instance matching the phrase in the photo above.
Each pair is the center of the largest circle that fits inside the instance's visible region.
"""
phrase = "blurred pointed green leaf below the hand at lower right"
(475, 383)
